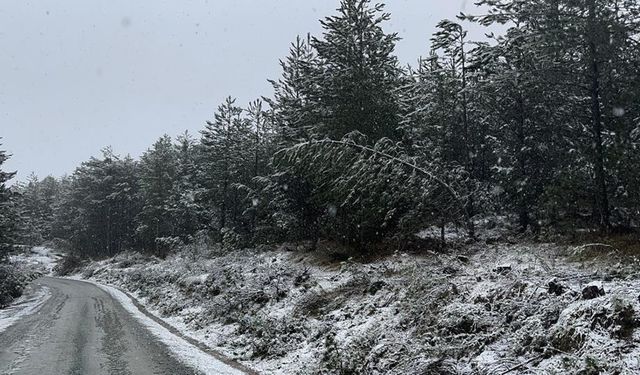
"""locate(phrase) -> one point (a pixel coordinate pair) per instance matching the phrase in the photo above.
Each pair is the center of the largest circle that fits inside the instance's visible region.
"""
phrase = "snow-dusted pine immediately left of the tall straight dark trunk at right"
(519, 109)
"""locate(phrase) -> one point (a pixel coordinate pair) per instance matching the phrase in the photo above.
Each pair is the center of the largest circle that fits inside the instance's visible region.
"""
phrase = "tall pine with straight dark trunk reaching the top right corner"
(585, 45)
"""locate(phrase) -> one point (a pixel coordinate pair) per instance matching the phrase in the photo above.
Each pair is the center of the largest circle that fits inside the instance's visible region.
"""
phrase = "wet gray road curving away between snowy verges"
(82, 330)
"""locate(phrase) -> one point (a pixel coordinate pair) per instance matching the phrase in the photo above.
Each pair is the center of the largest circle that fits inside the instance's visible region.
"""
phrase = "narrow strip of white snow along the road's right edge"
(186, 352)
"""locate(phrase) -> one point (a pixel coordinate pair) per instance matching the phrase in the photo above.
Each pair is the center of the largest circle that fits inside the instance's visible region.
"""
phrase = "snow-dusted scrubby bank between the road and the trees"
(498, 306)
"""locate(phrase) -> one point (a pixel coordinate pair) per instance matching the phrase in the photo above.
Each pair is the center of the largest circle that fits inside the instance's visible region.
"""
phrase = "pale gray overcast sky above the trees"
(79, 75)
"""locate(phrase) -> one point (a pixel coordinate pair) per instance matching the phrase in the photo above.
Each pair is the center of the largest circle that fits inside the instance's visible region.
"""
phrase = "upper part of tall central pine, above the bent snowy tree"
(357, 76)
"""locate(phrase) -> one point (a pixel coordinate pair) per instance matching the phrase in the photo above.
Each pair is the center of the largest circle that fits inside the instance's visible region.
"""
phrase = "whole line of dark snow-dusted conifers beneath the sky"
(539, 123)
